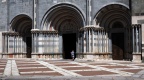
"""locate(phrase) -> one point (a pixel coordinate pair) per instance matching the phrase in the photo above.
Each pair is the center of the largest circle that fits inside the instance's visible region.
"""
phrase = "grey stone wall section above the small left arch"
(17, 7)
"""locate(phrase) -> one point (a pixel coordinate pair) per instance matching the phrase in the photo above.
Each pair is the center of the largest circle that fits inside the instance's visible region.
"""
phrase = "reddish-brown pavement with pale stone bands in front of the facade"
(40, 69)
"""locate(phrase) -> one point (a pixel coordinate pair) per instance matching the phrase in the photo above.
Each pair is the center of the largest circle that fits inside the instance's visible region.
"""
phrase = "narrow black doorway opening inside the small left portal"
(29, 45)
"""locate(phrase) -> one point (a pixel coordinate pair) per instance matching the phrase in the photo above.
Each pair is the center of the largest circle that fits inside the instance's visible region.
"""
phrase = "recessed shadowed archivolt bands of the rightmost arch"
(112, 13)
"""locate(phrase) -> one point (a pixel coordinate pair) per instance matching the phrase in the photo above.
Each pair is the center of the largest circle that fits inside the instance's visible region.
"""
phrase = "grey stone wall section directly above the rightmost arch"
(98, 4)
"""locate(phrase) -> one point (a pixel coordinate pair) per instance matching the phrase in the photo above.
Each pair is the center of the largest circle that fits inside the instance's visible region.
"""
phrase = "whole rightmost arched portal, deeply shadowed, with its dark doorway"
(116, 20)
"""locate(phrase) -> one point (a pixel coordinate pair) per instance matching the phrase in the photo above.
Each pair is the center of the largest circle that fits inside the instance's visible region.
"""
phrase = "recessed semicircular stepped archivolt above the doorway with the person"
(63, 16)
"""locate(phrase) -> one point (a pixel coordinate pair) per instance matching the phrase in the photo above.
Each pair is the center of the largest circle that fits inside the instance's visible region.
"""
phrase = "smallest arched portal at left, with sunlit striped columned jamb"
(18, 39)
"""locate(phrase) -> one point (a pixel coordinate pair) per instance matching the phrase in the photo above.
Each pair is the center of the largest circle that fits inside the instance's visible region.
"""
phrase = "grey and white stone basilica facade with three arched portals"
(51, 29)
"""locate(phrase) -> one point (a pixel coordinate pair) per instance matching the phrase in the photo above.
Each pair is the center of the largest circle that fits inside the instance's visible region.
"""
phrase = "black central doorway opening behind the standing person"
(69, 44)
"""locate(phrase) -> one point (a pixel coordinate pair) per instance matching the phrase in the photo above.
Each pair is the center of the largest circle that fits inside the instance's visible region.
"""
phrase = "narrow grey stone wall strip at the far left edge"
(3, 16)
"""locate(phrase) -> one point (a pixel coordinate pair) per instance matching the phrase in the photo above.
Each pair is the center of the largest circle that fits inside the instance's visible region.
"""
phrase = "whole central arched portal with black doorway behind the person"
(67, 20)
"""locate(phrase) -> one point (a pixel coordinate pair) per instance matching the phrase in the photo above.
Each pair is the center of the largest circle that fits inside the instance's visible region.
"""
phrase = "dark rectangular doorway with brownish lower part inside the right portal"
(118, 46)
